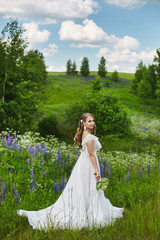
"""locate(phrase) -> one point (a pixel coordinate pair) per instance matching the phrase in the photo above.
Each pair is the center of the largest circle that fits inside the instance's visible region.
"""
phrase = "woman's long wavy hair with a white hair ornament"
(80, 129)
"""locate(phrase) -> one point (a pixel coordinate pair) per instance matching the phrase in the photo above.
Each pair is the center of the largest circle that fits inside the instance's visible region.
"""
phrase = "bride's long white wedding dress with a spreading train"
(80, 204)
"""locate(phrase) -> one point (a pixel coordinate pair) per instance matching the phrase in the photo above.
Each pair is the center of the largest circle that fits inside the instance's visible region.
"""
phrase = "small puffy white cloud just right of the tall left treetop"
(34, 35)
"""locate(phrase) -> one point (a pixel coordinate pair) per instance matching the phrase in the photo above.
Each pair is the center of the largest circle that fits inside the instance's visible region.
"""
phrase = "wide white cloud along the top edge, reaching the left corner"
(53, 9)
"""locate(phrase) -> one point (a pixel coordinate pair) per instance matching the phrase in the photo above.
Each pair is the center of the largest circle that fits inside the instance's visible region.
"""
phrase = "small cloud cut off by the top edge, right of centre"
(127, 3)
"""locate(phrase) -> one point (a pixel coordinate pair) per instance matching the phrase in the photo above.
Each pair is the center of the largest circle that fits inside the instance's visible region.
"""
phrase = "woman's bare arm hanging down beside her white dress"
(90, 147)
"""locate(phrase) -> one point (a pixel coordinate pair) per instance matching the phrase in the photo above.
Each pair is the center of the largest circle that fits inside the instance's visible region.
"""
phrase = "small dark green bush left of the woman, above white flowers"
(49, 126)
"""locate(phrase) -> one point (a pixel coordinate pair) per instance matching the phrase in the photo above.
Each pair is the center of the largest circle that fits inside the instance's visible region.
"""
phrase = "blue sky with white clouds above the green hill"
(123, 31)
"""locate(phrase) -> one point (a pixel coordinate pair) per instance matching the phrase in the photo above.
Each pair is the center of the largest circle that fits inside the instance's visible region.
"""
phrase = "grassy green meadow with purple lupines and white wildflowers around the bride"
(34, 170)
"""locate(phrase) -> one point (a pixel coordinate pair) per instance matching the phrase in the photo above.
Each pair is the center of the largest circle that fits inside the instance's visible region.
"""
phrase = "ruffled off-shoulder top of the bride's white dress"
(87, 138)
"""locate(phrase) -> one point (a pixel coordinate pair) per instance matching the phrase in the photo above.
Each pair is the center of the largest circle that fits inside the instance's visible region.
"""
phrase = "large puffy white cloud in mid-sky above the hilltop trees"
(91, 36)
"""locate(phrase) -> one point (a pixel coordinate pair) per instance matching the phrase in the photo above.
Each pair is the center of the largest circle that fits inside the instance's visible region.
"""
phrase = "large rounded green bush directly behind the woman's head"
(109, 116)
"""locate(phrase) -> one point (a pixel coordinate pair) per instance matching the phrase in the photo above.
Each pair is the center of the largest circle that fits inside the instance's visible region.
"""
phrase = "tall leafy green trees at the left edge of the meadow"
(20, 79)
